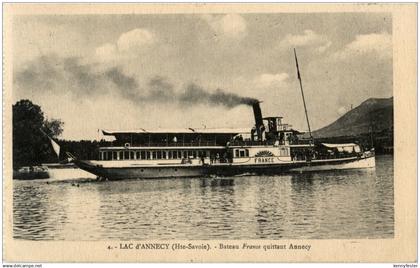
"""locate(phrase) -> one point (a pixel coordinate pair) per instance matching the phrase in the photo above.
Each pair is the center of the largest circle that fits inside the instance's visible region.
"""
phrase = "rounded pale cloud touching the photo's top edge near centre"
(230, 25)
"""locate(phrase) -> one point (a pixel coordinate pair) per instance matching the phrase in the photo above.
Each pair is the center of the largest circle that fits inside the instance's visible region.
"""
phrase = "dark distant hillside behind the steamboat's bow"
(373, 115)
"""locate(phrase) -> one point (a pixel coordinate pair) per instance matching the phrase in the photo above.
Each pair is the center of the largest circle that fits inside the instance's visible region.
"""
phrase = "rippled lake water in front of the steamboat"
(326, 205)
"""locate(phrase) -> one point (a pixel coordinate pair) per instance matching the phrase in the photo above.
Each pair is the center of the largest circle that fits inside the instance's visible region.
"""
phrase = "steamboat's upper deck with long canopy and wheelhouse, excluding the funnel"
(276, 134)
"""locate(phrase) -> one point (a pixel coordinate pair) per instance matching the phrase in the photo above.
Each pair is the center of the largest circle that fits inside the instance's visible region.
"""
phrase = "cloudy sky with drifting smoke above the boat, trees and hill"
(123, 72)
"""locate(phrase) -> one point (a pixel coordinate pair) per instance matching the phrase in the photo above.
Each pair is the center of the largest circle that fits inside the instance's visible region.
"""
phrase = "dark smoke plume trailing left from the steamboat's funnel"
(62, 75)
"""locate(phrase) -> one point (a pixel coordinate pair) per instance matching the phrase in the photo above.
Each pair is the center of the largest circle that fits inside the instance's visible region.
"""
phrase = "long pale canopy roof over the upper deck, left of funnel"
(179, 131)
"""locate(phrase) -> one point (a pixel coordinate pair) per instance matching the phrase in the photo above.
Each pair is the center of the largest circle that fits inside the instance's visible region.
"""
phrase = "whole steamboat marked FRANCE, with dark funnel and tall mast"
(269, 147)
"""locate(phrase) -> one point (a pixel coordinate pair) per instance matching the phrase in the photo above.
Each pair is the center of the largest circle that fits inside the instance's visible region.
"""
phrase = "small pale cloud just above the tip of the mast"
(309, 38)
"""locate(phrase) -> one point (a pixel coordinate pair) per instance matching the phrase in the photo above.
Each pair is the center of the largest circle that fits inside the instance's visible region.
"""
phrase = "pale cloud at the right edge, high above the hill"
(377, 43)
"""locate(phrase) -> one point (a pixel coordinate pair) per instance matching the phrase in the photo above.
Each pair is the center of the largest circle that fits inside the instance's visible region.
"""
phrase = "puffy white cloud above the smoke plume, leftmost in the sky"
(129, 42)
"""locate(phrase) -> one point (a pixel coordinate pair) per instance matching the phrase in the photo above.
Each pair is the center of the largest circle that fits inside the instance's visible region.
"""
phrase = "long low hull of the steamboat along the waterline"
(226, 169)
